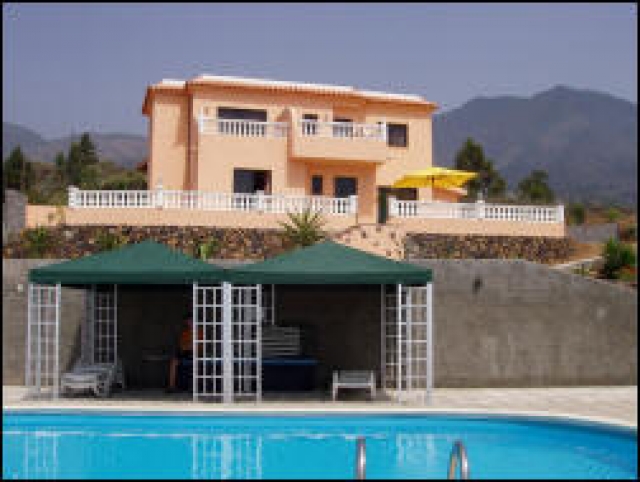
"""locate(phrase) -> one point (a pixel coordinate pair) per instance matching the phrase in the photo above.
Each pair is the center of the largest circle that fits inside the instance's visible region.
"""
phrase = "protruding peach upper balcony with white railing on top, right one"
(343, 141)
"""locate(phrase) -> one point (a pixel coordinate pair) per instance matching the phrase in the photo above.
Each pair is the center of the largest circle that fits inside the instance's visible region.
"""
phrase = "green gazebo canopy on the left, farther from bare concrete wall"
(143, 263)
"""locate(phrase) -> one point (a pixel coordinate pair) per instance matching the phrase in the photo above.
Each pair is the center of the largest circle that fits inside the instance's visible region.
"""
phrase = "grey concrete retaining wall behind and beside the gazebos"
(503, 323)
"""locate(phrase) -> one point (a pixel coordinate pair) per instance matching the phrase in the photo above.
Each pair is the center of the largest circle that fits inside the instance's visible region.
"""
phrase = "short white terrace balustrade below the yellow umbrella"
(479, 210)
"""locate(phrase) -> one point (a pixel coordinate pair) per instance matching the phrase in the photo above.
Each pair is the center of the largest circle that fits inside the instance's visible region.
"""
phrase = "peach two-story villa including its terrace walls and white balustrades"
(237, 152)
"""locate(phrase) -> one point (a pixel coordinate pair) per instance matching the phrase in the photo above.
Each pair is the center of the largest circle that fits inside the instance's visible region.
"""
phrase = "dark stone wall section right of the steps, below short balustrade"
(443, 246)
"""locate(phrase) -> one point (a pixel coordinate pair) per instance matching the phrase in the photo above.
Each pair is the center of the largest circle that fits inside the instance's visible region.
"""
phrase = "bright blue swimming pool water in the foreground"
(315, 446)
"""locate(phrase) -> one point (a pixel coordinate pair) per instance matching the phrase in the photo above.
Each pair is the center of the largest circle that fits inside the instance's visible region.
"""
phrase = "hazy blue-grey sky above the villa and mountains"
(74, 67)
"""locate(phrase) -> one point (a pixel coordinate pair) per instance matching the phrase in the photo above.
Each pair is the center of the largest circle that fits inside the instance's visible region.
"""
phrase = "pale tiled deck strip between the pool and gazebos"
(617, 405)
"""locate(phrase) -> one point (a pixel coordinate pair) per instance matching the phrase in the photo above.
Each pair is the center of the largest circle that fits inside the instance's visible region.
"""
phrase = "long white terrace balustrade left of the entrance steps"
(213, 201)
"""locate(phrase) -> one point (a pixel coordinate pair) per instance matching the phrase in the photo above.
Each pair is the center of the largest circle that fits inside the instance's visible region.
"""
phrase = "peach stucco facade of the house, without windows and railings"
(209, 161)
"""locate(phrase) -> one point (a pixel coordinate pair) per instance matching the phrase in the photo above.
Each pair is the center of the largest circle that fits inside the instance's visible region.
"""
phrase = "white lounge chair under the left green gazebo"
(98, 378)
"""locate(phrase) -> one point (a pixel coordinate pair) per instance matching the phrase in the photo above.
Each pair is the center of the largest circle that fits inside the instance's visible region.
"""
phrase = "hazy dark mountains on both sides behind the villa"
(585, 140)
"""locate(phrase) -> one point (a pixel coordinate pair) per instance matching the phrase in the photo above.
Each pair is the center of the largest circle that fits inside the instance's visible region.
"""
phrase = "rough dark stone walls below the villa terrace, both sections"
(245, 243)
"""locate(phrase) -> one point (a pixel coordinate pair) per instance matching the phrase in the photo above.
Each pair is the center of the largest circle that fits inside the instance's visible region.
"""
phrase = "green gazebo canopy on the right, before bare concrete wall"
(330, 263)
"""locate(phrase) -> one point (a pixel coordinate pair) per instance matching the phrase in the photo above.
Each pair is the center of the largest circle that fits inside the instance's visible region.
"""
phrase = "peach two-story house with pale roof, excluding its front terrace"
(229, 134)
